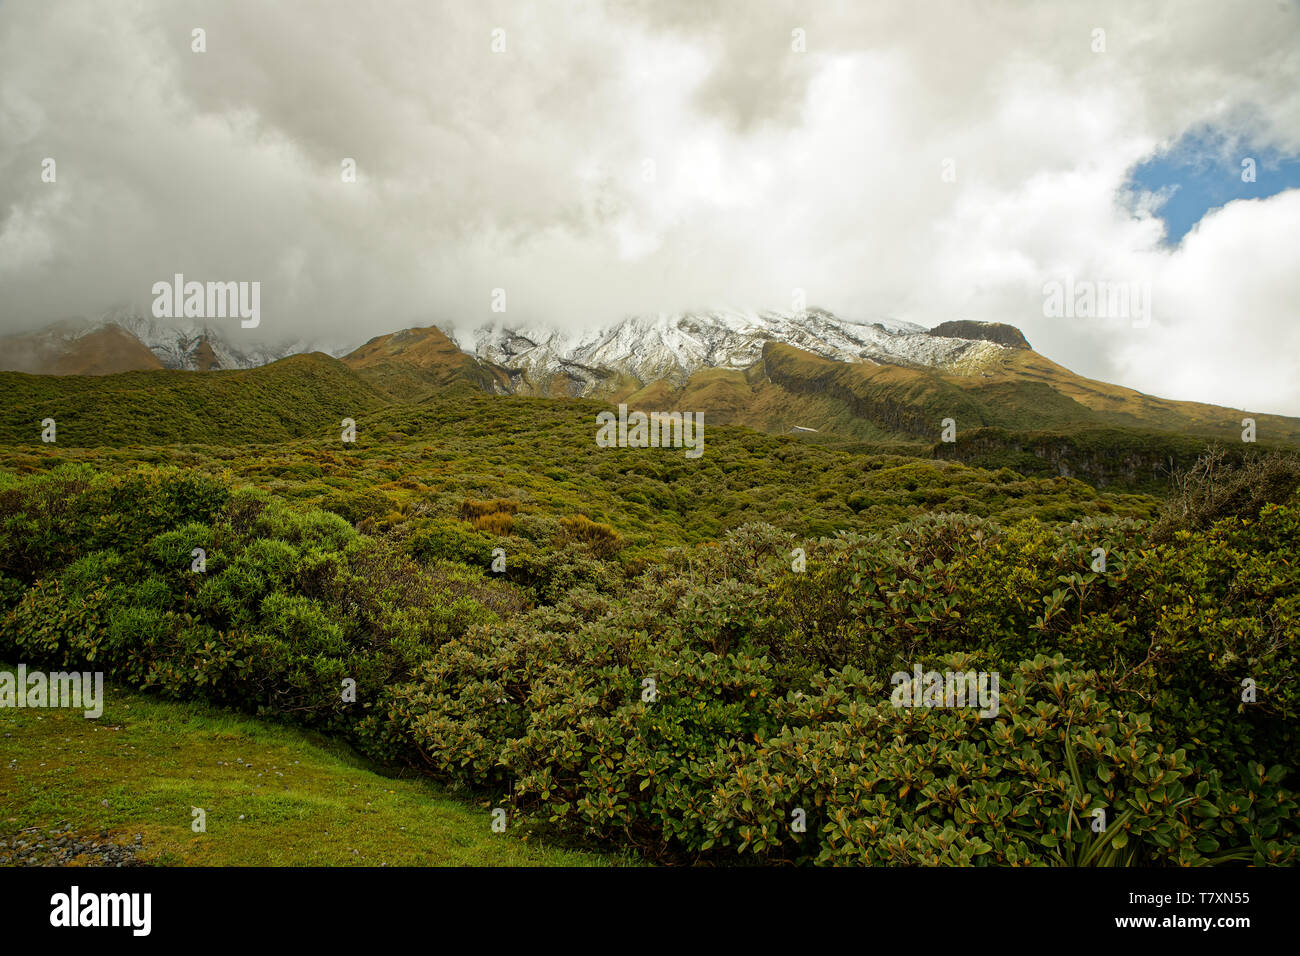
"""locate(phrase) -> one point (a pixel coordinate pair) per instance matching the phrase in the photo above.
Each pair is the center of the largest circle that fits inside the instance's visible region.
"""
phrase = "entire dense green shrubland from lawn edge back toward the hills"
(697, 699)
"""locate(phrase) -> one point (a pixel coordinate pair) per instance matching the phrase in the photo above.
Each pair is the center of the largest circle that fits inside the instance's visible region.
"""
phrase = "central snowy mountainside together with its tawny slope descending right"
(980, 374)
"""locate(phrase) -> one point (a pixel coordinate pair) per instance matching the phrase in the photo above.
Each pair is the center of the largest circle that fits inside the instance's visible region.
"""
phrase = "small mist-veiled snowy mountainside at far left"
(198, 344)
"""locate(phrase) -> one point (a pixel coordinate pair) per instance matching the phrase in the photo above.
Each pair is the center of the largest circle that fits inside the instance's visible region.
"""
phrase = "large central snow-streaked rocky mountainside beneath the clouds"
(675, 347)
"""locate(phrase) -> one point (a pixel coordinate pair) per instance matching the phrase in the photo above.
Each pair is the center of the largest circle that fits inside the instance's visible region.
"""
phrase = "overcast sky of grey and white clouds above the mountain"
(773, 170)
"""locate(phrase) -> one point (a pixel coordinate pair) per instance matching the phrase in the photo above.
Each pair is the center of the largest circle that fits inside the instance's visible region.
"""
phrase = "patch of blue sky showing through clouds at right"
(1203, 171)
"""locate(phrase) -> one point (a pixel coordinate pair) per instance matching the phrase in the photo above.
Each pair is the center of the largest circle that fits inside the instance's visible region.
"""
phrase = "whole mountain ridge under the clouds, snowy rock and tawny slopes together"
(879, 382)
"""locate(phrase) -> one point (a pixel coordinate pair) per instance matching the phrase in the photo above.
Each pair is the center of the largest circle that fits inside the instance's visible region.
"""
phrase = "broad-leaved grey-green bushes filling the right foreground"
(747, 723)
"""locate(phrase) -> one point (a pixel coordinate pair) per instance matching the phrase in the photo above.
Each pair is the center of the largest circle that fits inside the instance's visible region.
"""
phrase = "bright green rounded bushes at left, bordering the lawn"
(289, 605)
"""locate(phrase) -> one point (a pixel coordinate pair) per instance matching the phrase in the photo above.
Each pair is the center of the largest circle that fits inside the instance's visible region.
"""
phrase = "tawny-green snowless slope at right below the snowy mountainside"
(1028, 414)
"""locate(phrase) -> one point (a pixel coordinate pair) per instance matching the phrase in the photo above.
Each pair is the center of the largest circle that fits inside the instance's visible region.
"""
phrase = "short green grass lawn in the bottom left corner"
(296, 799)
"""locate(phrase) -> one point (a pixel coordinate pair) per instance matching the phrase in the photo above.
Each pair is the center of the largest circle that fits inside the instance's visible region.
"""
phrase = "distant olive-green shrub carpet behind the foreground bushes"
(414, 470)
